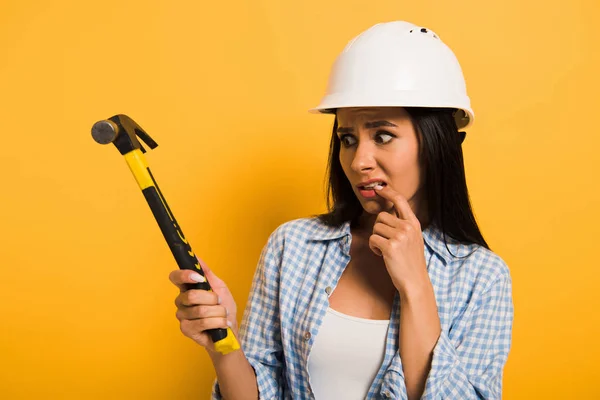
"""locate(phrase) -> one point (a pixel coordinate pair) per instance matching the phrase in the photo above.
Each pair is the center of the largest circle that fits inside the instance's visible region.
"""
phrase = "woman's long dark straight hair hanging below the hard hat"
(441, 158)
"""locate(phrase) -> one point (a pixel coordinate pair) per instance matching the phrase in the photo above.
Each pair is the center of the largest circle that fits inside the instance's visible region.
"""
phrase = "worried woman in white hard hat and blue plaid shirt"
(394, 293)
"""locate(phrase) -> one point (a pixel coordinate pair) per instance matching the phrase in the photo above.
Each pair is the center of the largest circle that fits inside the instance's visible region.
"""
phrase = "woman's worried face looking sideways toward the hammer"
(379, 143)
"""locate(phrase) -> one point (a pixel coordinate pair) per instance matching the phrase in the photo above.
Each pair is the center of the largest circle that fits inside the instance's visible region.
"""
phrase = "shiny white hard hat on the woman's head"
(397, 64)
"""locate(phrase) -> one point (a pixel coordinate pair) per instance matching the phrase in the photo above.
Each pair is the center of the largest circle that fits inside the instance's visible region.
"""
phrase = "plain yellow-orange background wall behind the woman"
(86, 308)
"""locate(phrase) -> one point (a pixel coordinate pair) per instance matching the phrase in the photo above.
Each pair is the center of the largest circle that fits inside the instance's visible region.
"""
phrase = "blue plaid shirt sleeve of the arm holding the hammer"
(260, 334)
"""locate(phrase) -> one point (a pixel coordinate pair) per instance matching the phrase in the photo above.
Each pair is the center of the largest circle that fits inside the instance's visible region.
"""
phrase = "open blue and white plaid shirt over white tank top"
(288, 301)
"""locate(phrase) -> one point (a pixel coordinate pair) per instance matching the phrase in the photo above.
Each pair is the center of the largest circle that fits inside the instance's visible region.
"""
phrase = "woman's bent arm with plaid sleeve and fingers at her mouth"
(469, 358)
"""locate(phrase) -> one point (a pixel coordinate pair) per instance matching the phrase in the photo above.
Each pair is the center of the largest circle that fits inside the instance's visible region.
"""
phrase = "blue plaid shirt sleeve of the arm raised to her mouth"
(469, 360)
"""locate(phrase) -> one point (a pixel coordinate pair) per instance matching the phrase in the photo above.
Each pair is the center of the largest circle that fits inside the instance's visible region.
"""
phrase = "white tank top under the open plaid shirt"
(345, 356)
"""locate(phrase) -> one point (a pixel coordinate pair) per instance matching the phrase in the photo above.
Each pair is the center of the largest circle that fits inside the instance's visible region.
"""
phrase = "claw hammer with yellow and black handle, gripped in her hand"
(122, 131)
